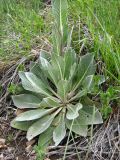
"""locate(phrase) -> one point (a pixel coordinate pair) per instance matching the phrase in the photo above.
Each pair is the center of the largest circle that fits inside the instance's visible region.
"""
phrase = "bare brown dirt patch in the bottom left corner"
(14, 147)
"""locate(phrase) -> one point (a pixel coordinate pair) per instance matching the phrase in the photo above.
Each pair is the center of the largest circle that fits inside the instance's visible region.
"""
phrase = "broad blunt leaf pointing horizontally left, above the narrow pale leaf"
(26, 101)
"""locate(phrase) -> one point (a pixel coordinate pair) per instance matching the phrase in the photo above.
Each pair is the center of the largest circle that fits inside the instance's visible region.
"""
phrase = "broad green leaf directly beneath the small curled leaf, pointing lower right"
(75, 126)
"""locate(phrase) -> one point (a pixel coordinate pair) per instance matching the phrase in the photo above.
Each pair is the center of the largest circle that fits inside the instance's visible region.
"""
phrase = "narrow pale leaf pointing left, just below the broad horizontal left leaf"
(33, 114)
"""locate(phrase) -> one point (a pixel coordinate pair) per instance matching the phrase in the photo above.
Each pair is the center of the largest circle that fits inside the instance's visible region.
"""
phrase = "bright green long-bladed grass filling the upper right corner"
(102, 19)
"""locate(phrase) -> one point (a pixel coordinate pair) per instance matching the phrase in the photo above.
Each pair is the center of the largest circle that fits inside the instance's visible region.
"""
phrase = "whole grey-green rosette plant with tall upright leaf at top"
(57, 88)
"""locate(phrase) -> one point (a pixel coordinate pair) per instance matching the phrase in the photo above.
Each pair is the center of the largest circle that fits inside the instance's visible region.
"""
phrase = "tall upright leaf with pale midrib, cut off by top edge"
(60, 31)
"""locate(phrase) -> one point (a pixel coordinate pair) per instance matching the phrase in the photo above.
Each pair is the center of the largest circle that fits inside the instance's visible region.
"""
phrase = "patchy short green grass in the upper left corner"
(21, 23)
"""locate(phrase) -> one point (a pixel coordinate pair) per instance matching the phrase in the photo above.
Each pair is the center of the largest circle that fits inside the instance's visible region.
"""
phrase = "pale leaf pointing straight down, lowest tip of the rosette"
(59, 132)
